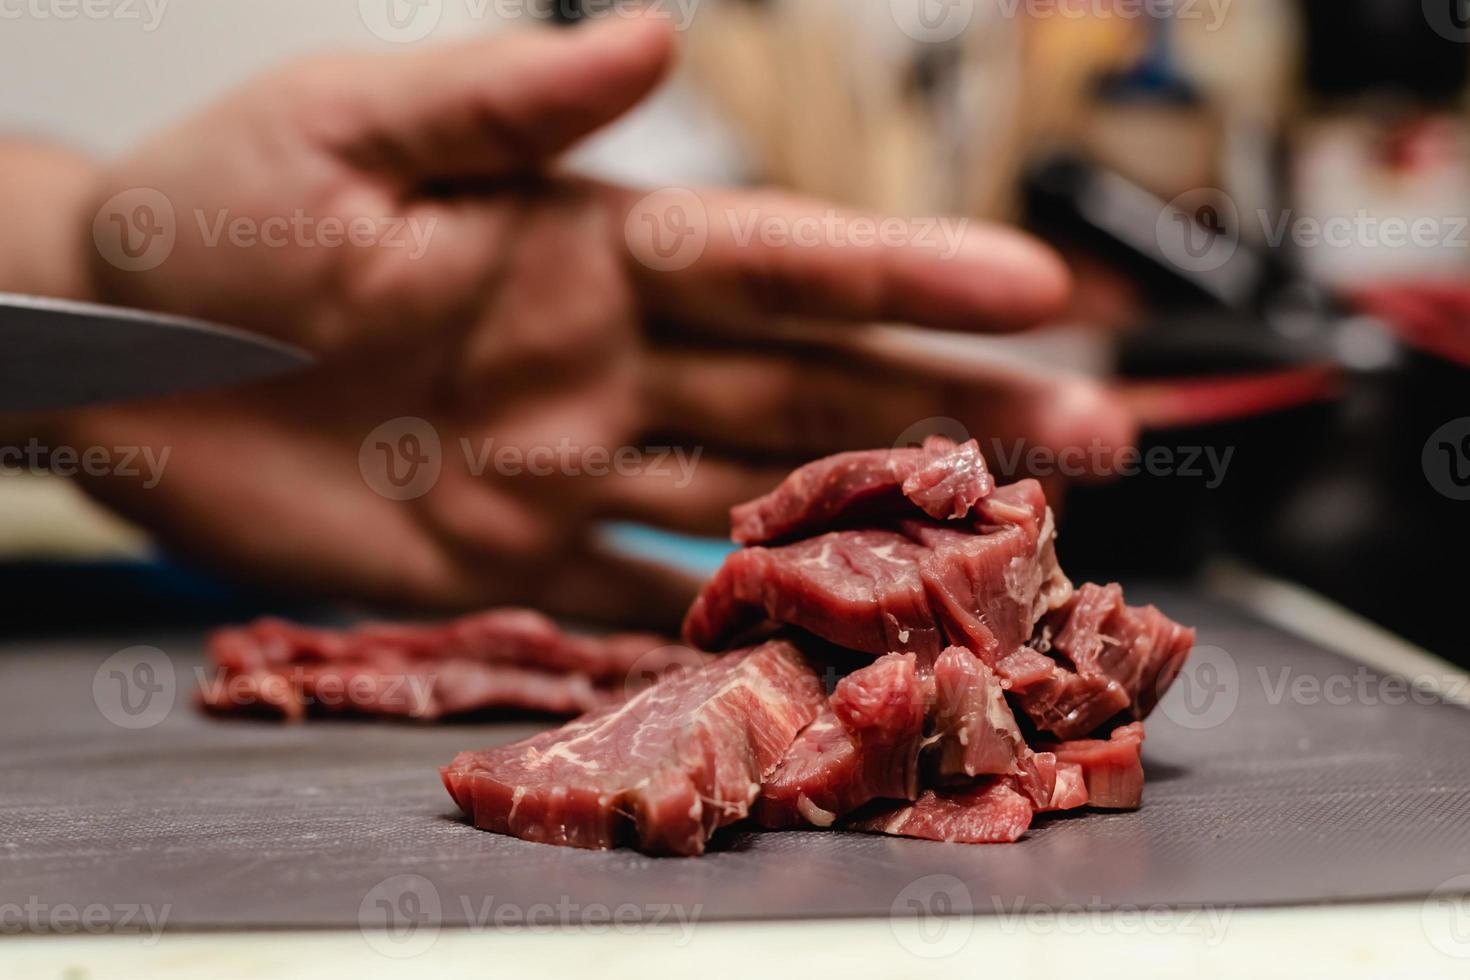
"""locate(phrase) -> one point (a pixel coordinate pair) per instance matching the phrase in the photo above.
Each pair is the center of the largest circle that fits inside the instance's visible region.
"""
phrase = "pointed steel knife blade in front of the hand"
(60, 355)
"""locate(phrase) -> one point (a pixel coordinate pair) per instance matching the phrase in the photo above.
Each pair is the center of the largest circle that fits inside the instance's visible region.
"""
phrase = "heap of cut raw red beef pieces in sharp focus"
(905, 657)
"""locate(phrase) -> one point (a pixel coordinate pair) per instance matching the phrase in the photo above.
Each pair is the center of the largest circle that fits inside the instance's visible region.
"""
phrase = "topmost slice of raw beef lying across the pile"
(942, 480)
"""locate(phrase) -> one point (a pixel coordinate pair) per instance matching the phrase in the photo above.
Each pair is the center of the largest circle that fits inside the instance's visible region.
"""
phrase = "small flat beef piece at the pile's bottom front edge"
(992, 812)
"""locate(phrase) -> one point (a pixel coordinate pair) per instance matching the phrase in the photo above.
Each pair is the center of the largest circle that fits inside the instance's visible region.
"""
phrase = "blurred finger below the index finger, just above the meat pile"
(784, 406)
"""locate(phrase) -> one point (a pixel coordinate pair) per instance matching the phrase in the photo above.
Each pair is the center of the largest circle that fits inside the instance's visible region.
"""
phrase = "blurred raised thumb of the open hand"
(489, 108)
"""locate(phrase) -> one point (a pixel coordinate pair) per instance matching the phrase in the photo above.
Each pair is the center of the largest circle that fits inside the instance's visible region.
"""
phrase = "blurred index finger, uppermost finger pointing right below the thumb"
(725, 259)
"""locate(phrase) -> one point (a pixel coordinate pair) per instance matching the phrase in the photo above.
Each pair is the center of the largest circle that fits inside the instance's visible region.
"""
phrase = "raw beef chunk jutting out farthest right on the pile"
(1094, 660)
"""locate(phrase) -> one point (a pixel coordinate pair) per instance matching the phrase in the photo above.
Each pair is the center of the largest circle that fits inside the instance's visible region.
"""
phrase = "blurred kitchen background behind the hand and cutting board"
(1266, 205)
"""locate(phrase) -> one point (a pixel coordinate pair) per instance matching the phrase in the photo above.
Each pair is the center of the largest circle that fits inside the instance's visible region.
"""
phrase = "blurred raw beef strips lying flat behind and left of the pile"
(505, 659)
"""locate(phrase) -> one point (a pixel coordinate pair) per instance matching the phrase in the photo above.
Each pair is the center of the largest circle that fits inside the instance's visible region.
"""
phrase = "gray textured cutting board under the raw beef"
(255, 825)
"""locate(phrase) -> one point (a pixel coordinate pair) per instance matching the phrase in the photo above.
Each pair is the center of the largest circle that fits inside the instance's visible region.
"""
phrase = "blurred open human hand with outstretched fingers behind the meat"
(526, 323)
